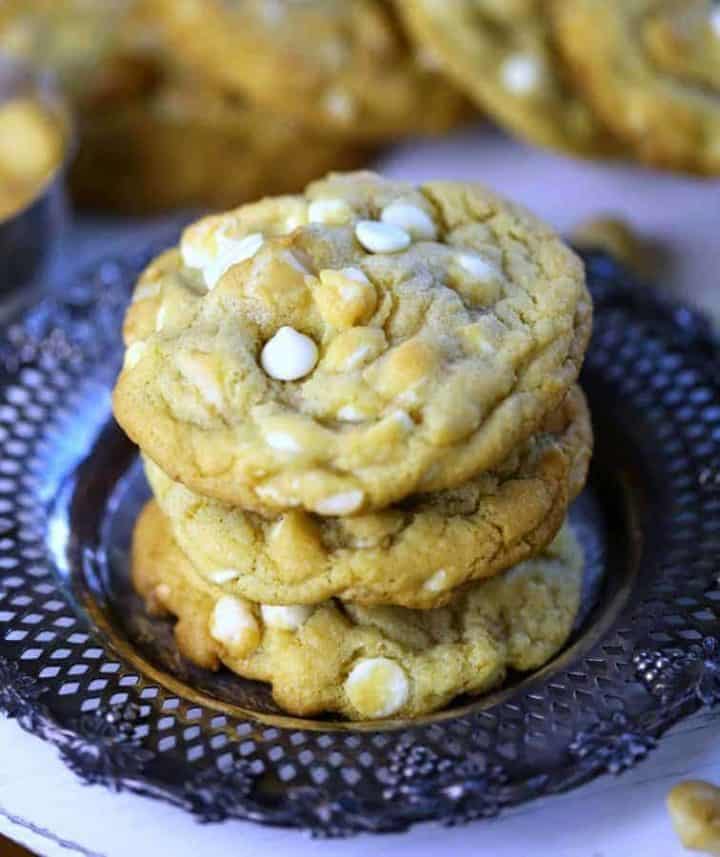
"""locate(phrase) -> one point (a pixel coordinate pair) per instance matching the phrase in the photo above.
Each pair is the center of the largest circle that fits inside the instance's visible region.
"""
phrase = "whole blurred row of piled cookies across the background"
(215, 102)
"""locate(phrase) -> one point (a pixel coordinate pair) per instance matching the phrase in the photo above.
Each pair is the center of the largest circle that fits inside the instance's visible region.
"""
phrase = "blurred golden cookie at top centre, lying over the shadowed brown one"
(344, 68)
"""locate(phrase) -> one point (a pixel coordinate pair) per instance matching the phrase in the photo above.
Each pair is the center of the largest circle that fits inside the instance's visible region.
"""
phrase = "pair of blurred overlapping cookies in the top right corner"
(601, 78)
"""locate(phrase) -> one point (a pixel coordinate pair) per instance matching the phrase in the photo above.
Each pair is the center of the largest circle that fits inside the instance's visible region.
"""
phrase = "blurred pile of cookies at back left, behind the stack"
(214, 103)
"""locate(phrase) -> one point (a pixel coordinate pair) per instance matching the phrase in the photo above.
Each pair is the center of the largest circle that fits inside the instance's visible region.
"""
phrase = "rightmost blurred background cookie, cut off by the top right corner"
(652, 71)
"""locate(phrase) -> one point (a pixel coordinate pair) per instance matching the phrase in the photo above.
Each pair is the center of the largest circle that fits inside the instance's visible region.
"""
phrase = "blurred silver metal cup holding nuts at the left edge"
(29, 235)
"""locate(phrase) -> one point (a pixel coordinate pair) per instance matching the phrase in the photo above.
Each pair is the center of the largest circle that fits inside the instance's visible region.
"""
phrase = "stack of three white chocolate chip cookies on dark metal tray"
(359, 417)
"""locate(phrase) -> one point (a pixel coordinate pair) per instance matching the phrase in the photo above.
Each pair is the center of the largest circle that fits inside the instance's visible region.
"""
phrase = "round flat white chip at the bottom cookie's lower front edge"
(377, 687)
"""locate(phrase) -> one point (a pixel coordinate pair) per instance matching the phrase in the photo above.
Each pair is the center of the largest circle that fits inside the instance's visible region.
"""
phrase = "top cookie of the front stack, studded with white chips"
(340, 350)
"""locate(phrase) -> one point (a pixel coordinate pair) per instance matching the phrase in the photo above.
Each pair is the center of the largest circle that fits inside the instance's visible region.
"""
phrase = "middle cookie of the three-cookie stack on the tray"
(412, 555)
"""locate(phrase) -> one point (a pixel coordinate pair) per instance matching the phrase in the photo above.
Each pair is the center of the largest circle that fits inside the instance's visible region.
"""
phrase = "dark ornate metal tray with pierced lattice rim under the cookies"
(80, 665)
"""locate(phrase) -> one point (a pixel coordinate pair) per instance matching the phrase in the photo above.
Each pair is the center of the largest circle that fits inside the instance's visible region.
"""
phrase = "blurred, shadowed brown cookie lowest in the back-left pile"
(150, 143)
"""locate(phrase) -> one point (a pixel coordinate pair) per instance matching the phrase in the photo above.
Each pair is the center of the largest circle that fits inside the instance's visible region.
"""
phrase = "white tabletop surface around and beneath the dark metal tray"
(43, 806)
